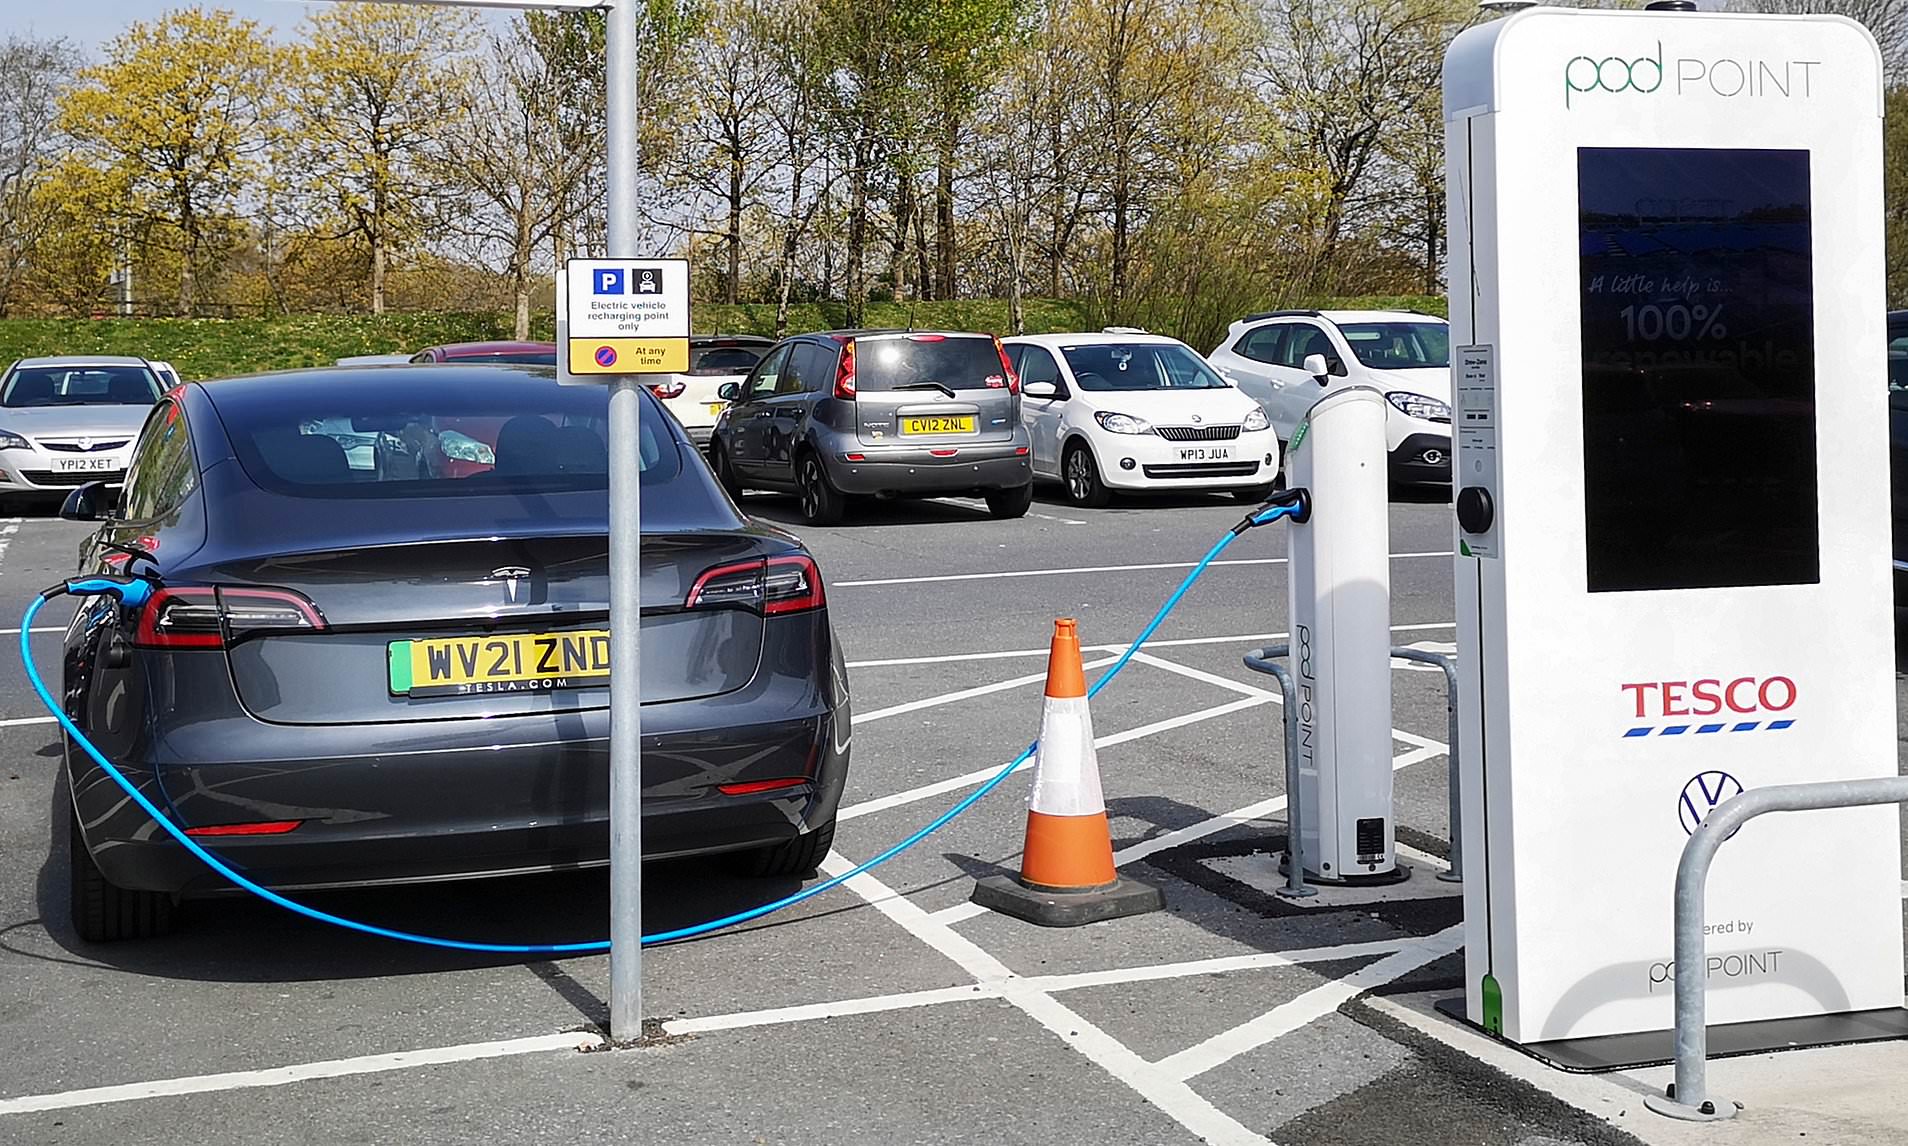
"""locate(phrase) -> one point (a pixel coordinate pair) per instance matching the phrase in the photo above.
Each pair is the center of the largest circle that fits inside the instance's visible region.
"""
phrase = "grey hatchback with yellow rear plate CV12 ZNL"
(877, 415)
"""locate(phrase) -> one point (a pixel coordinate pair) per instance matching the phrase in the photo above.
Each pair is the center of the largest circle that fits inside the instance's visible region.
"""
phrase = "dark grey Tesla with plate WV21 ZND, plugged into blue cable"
(358, 674)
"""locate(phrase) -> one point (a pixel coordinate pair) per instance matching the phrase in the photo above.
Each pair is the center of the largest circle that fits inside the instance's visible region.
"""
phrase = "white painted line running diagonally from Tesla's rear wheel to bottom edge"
(1172, 1097)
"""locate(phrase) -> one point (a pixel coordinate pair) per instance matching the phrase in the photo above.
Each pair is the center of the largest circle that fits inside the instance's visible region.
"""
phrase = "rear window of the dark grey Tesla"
(409, 441)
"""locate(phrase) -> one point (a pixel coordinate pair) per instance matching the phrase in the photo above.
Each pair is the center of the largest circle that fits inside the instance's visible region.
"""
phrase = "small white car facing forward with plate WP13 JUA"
(1138, 413)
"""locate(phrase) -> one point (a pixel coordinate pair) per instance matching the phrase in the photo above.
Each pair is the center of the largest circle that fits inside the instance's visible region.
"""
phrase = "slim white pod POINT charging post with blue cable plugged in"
(1342, 640)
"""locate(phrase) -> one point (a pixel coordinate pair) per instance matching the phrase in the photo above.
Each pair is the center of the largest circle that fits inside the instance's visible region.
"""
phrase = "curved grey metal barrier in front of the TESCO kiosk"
(1690, 1097)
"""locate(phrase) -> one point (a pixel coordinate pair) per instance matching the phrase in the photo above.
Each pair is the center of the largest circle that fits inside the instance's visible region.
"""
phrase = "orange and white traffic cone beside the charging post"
(1068, 874)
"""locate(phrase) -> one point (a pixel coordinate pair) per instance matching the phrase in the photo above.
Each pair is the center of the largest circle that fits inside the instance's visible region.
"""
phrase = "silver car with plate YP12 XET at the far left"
(72, 420)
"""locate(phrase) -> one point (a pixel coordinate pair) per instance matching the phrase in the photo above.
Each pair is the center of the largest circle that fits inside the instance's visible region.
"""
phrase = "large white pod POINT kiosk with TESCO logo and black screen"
(1667, 300)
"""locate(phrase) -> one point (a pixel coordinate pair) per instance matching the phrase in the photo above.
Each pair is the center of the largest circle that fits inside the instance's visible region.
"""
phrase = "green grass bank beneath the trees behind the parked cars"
(215, 348)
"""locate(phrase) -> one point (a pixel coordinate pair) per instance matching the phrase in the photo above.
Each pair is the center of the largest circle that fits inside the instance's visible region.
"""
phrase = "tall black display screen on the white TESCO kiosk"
(1699, 369)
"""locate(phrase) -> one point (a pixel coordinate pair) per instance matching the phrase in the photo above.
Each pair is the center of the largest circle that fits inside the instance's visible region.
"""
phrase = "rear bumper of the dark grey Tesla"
(533, 804)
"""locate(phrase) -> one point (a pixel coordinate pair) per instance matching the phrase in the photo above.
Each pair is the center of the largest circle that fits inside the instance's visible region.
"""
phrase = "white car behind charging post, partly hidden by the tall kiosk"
(1291, 359)
